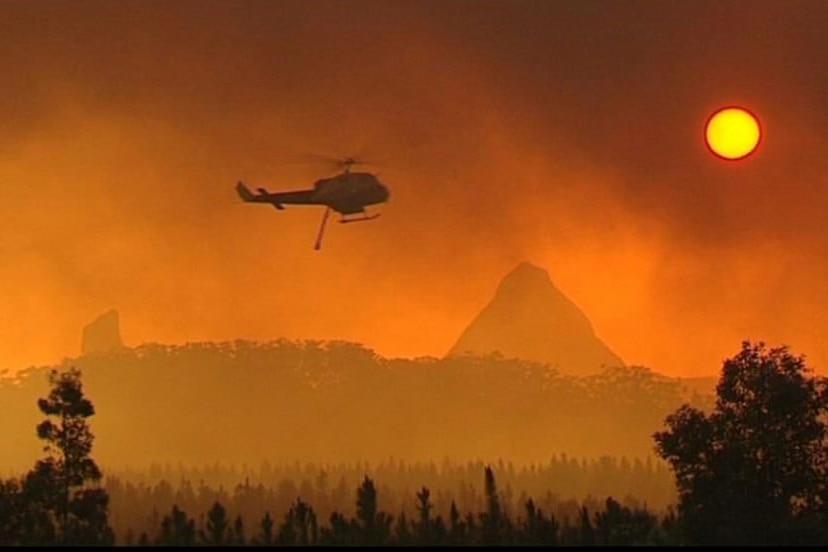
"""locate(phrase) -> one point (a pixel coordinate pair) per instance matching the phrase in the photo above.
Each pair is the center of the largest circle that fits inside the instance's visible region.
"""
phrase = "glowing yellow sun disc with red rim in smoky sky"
(732, 133)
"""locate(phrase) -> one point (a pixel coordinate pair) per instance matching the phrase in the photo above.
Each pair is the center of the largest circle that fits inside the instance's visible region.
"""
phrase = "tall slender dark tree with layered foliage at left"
(63, 489)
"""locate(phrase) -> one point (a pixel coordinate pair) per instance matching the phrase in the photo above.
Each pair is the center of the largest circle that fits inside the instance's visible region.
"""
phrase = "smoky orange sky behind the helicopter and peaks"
(565, 133)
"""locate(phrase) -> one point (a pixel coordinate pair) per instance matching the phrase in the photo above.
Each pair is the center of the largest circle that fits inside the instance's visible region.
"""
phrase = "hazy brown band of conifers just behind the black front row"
(559, 487)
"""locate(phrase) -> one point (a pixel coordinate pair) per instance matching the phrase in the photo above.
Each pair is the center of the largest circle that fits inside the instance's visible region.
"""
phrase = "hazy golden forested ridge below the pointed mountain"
(335, 401)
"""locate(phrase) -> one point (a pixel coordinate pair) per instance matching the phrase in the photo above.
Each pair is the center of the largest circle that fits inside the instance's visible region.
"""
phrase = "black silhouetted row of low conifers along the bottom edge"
(607, 523)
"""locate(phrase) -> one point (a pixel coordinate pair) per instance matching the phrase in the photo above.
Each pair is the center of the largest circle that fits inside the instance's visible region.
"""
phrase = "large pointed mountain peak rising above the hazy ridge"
(530, 318)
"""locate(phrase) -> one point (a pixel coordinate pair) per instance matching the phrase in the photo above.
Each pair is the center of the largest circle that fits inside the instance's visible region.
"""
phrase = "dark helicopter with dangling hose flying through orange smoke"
(347, 193)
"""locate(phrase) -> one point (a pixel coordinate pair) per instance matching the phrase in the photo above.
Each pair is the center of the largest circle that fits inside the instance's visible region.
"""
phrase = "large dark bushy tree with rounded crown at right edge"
(754, 470)
